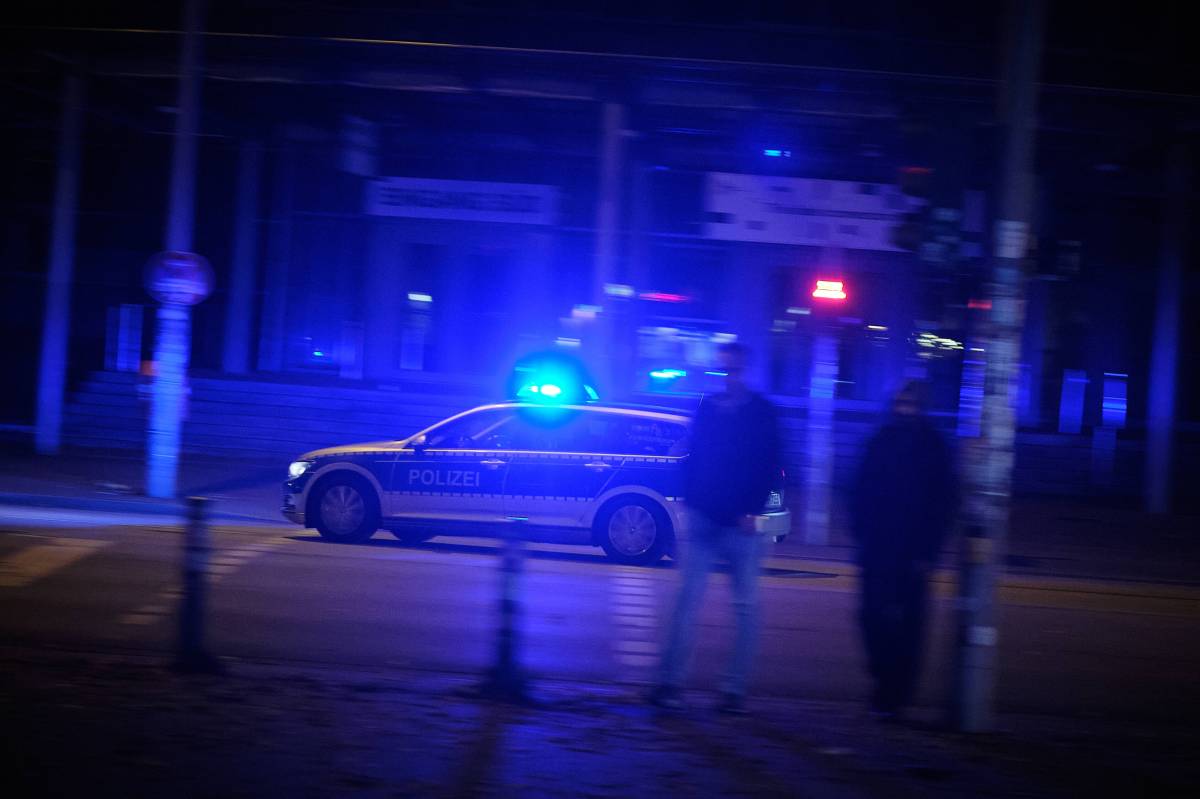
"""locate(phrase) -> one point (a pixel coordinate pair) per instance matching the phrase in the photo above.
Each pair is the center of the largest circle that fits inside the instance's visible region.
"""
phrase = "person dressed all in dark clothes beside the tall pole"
(904, 502)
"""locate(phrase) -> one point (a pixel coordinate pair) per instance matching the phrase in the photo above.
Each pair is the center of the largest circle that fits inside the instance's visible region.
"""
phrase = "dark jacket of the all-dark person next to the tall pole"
(905, 496)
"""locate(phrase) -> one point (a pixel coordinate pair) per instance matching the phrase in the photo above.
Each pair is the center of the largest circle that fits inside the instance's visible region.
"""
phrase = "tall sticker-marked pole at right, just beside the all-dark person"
(989, 459)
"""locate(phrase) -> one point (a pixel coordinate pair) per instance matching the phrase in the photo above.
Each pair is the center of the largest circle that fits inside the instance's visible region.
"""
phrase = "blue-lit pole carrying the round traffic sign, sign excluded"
(173, 344)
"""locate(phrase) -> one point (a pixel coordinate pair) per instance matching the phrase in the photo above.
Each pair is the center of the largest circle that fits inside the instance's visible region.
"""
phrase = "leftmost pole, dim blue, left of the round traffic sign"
(57, 325)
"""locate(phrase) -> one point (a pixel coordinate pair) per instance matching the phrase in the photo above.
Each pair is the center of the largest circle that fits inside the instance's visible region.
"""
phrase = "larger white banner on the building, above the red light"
(803, 212)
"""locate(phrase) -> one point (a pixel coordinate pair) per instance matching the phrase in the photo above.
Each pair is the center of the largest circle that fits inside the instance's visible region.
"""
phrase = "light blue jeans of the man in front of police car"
(707, 542)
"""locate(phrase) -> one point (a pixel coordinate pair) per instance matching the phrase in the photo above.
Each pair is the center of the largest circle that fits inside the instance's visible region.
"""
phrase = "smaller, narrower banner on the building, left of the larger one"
(463, 200)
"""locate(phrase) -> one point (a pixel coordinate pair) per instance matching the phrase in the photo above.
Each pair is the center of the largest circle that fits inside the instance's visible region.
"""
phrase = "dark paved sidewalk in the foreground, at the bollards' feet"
(124, 725)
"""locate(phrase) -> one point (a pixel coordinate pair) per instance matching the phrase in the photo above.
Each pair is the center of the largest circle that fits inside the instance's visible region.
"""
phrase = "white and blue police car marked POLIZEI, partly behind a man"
(607, 476)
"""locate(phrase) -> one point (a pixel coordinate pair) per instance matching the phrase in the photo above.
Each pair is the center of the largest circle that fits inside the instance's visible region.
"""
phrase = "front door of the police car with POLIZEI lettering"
(457, 476)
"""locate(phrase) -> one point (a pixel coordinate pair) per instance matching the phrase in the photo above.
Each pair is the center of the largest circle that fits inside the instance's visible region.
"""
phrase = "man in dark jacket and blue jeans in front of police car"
(734, 464)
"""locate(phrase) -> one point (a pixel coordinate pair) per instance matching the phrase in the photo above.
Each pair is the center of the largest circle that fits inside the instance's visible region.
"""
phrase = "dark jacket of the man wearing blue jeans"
(736, 458)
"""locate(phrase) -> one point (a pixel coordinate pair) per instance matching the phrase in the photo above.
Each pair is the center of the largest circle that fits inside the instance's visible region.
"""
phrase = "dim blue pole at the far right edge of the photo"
(1166, 355)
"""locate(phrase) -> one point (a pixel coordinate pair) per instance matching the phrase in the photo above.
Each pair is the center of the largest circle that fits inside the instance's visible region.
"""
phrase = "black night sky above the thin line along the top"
(1089, 44)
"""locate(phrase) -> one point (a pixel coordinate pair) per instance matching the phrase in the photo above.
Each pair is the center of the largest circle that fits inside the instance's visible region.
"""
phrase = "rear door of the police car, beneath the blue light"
(556, 470)
